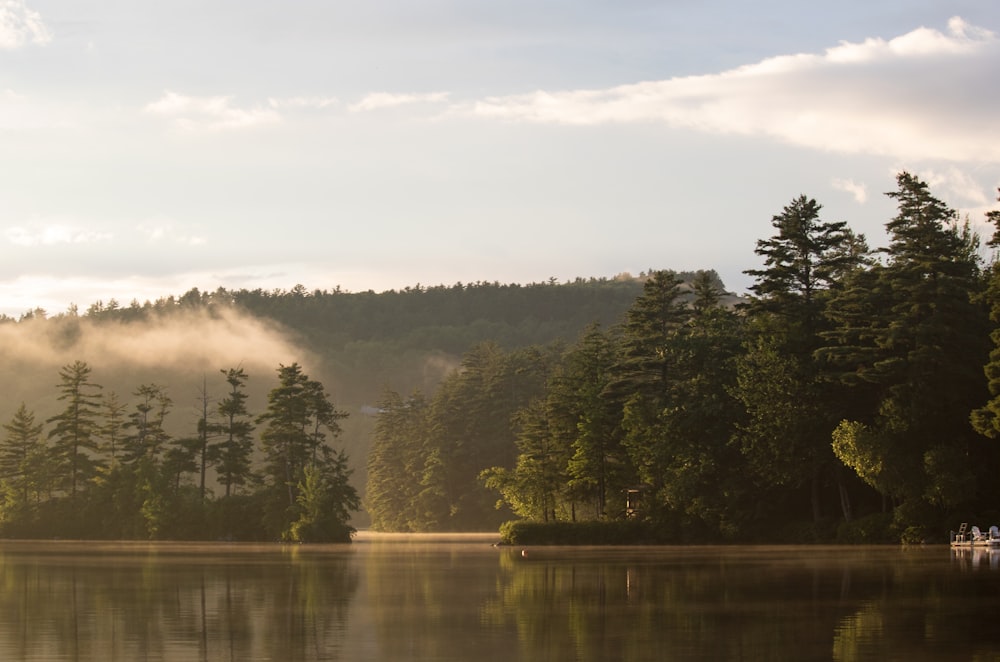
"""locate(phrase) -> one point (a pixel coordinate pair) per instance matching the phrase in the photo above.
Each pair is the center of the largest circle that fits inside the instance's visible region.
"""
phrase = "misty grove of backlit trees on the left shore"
(103, 468)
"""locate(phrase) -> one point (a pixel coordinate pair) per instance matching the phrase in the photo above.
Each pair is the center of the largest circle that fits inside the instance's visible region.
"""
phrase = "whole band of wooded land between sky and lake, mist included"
(851, 397)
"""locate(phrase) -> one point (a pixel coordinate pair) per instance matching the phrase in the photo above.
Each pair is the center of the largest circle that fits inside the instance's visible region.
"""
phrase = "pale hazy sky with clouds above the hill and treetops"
(150, 147)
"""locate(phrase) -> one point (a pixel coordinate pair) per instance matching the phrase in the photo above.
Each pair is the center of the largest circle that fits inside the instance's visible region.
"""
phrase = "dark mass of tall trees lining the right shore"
(853, 397)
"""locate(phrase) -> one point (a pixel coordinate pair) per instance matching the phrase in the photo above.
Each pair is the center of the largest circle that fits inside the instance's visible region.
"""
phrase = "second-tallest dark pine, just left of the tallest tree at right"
(791, 407)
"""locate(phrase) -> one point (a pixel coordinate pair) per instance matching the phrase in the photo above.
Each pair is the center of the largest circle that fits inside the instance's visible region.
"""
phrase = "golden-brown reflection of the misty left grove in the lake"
(142, 602)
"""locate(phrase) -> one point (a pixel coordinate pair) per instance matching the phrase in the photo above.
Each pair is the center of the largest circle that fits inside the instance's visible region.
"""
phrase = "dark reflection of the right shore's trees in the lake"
(750, 603)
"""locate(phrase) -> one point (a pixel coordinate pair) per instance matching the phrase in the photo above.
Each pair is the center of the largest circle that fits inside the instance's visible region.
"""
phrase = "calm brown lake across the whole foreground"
(425, 598)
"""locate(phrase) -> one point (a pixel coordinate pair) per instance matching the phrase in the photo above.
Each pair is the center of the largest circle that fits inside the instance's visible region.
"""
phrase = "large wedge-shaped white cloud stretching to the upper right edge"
(925, 94)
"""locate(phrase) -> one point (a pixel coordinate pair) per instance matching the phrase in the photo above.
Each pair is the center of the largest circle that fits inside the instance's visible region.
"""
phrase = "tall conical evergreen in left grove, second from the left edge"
(73, 434)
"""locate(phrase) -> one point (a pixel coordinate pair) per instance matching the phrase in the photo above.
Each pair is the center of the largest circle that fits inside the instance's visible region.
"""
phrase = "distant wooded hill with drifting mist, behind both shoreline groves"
(356, 344)
